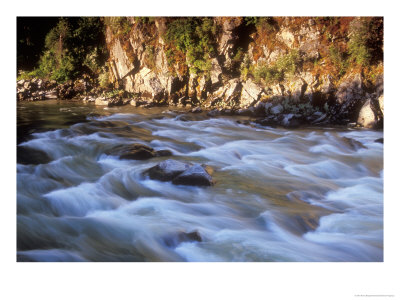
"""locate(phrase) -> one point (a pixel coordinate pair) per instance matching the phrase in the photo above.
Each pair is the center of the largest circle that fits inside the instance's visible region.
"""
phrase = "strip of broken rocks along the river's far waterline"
(271, 113)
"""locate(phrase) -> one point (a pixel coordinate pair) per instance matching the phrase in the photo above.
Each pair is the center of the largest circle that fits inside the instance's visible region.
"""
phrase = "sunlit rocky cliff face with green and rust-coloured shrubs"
(306, 65)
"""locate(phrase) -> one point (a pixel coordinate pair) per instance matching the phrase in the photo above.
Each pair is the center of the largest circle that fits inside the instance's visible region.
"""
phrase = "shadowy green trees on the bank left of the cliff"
(74, 47)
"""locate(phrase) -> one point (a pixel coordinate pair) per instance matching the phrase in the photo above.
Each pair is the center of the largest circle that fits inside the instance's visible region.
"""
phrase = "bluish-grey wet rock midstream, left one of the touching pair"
(167, 170)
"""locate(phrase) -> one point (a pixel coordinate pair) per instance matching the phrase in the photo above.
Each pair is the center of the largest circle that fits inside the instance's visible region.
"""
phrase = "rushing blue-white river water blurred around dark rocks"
(313, 194)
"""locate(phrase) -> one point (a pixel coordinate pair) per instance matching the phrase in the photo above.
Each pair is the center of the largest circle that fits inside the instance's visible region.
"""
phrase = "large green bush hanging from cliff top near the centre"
(195, 37)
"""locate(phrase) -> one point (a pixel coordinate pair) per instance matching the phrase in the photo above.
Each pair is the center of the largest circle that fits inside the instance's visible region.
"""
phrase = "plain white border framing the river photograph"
(322, 281)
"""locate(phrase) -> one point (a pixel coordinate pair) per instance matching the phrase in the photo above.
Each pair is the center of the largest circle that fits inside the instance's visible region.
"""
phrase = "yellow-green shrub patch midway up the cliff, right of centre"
(285, 65)
